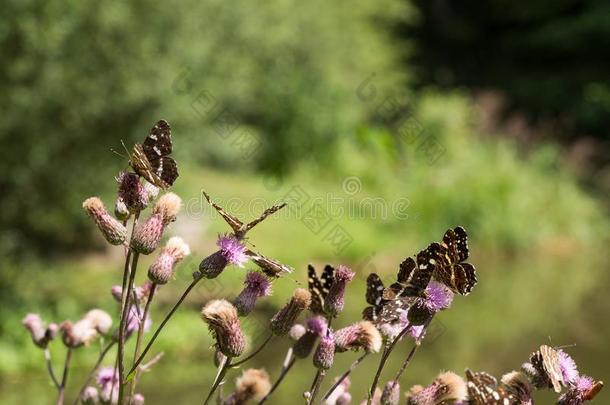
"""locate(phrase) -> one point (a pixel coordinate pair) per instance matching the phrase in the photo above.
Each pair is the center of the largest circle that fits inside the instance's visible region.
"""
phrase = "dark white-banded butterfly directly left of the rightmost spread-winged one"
(413, 276)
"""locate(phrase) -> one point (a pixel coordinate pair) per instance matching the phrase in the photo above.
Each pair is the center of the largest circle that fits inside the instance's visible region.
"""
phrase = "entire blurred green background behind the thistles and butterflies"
(399, 119)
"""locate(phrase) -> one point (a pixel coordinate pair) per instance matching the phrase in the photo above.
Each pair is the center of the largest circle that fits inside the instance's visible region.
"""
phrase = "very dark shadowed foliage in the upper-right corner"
(547, 56)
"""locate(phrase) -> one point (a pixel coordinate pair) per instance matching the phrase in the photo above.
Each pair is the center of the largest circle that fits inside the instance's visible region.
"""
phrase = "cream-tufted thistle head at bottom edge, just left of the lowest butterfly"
(447, 386)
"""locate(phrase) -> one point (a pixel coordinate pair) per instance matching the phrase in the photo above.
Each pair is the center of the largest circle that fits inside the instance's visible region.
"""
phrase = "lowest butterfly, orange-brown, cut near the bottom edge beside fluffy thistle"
(483, 389)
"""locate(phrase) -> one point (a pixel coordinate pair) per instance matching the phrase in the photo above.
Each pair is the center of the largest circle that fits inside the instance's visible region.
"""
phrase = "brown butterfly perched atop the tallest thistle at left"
(151, 159)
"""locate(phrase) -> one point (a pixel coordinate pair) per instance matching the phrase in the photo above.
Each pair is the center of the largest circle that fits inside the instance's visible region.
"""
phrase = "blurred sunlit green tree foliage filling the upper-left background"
(77, 77)
